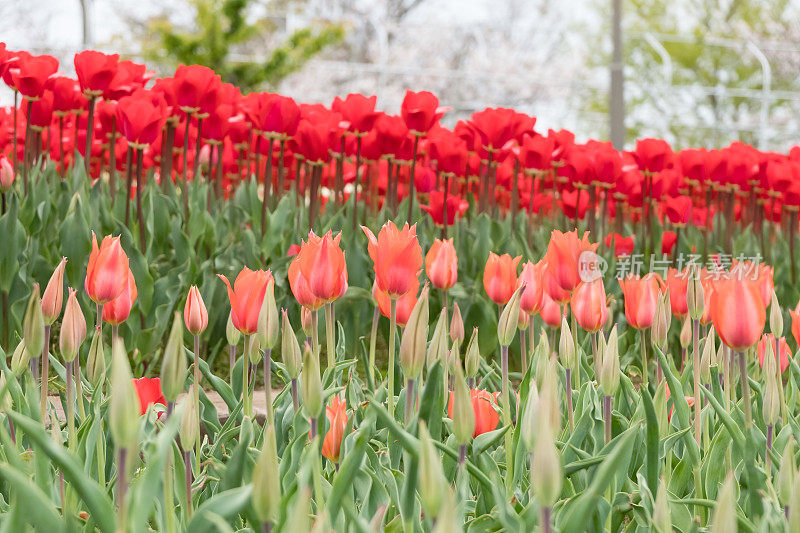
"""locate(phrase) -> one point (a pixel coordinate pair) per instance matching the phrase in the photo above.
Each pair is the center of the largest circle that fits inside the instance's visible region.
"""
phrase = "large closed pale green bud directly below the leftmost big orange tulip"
(124, 403)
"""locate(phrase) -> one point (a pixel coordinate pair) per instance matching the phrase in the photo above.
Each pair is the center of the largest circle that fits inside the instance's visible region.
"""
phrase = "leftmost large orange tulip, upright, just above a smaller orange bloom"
(106, 273)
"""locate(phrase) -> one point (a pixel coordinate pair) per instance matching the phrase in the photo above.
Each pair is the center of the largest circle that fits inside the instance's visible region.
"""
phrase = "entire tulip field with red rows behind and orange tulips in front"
(483, 328)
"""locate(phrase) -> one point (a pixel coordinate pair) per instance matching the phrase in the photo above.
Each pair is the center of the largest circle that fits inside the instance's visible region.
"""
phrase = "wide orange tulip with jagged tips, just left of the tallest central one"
(321, 262)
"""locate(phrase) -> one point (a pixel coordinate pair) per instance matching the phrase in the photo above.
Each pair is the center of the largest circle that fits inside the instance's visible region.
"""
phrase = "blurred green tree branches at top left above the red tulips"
(223, 29)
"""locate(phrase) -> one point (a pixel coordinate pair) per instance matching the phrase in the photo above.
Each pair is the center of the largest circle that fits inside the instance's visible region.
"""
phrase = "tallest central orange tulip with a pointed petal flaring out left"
(396, 257)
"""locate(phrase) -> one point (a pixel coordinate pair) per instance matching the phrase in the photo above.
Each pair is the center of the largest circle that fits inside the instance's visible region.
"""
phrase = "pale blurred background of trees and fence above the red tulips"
(695, 72)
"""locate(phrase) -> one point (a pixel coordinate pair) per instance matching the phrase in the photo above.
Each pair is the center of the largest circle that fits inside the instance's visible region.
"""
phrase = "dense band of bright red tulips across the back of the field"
(194, 123)
